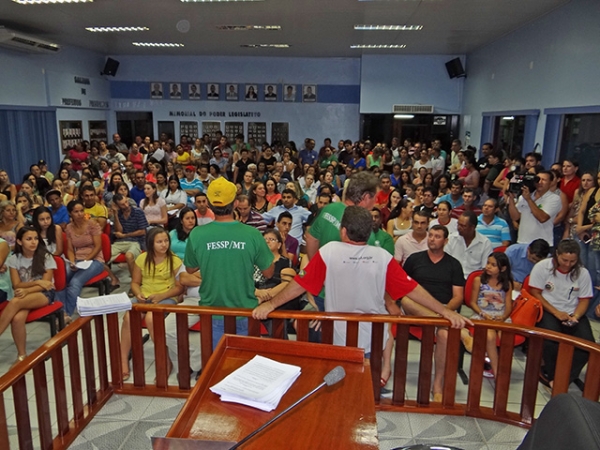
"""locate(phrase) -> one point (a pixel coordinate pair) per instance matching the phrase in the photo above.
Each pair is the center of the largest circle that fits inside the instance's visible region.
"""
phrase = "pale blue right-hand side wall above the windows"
(552, 62)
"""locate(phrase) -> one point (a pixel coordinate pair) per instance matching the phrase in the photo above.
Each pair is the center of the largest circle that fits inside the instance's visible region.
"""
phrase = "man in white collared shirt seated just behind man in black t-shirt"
(470, 247)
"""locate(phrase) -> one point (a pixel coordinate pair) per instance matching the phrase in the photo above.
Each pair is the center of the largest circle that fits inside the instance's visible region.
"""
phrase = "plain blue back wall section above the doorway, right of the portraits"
(387, 80)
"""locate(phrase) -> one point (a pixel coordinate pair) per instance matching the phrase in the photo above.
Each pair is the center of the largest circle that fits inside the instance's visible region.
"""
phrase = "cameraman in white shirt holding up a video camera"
(536, 210)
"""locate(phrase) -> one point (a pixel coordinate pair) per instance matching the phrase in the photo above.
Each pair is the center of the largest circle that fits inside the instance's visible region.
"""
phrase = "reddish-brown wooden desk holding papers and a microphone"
(341, 416)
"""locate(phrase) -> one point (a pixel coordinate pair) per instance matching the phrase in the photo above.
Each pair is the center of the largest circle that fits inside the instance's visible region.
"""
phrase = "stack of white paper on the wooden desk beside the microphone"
(259, 383)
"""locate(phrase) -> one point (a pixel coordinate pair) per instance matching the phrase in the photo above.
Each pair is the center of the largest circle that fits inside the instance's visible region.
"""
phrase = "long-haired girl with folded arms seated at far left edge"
(31, 273)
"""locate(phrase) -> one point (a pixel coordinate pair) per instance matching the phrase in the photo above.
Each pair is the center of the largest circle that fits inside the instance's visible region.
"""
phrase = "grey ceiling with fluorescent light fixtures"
(313, 28)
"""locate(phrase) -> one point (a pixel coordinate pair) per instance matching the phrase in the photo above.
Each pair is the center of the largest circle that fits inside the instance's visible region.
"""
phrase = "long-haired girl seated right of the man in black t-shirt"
(493, 290)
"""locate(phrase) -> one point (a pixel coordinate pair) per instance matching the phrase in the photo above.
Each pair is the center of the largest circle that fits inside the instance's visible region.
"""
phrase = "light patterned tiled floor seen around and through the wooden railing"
(129, 422)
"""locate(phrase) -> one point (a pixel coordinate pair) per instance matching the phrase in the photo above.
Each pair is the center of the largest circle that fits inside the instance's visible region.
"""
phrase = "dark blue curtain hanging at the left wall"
(26, 136)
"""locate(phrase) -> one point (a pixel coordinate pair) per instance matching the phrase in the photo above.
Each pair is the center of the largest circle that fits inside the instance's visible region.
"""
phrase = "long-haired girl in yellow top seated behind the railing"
(153, 281)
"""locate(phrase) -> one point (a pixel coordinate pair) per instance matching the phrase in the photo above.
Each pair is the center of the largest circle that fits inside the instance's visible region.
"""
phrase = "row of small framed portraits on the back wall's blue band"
(234, 92)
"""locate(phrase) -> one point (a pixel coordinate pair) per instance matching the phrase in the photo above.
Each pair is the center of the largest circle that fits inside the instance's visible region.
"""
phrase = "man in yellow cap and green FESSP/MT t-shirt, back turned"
(225, 251)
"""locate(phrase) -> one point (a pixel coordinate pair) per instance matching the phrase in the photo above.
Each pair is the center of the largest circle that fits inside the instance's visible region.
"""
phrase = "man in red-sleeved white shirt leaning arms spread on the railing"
(357, 278)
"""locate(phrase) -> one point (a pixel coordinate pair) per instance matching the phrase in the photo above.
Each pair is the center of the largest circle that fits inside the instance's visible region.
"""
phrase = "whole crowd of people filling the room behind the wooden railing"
(185, 216)
